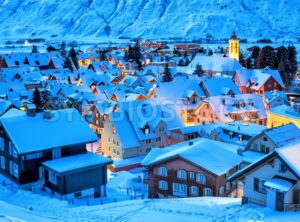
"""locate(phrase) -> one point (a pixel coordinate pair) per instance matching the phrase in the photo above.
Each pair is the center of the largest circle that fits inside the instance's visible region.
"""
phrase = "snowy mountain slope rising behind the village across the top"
(150, 18)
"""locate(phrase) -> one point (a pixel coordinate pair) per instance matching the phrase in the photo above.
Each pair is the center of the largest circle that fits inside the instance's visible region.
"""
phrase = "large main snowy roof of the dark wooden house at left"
(35, 133)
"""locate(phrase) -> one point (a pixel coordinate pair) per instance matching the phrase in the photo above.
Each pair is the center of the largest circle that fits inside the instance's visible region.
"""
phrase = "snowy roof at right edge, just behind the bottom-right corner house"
(284, 135)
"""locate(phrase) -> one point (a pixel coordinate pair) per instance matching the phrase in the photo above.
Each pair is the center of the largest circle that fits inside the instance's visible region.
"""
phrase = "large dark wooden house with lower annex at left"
(50, 147)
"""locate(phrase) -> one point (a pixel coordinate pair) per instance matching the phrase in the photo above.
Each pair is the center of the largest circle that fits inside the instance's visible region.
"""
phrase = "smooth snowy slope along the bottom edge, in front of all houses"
(185, 210)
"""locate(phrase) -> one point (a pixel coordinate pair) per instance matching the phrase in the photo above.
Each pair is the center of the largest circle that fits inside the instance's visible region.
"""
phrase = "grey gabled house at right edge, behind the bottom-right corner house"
(270, 139)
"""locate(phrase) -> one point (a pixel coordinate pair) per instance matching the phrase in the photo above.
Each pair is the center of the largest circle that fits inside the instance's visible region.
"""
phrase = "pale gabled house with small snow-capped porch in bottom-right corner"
(274, 180)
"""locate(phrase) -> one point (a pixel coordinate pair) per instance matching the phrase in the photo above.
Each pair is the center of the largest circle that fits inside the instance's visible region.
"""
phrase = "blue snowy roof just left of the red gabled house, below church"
(219, 86)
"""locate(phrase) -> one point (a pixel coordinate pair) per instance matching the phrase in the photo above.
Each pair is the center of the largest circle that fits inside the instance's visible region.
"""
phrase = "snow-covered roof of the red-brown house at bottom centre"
(208, 154)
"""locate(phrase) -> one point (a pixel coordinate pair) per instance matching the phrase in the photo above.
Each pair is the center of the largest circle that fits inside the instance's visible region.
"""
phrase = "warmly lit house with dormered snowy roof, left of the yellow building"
(227, 109)
